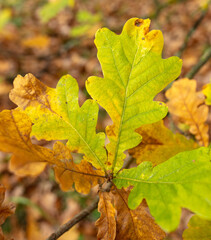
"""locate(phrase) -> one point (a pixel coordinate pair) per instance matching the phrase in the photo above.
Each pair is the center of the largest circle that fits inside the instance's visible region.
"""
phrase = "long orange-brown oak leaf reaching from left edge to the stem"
(31, 159)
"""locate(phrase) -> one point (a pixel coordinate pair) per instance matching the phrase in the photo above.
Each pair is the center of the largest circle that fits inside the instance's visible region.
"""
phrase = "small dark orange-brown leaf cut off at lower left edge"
(5, 209)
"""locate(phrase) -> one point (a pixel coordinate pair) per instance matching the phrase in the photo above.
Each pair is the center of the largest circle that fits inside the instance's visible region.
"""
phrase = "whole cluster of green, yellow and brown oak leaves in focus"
(171, 173)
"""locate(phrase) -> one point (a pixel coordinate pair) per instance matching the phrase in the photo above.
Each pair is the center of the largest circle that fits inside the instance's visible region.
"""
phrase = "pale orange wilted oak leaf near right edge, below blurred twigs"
(187, 104)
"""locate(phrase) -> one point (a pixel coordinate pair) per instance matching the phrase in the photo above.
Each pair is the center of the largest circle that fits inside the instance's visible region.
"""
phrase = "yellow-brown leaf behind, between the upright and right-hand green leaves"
(159, 144)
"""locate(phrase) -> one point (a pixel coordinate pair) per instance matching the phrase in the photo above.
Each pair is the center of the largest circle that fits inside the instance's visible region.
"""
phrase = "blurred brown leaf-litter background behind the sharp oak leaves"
(50, 38)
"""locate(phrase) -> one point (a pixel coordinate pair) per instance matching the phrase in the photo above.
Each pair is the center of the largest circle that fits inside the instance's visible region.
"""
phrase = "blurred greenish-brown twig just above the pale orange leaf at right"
(204, 58)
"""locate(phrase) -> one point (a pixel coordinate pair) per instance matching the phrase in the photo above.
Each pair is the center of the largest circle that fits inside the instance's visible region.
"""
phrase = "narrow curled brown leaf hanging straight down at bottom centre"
(106, 224)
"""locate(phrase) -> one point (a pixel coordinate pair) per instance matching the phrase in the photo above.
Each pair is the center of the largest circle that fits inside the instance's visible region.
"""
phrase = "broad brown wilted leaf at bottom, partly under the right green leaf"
(134, 224)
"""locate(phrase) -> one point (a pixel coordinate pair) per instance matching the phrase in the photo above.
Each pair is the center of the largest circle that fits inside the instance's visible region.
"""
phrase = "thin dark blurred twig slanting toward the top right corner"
(192, 30)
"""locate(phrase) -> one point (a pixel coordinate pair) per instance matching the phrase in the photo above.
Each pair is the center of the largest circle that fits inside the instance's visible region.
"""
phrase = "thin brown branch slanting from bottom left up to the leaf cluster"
(65, 227)
